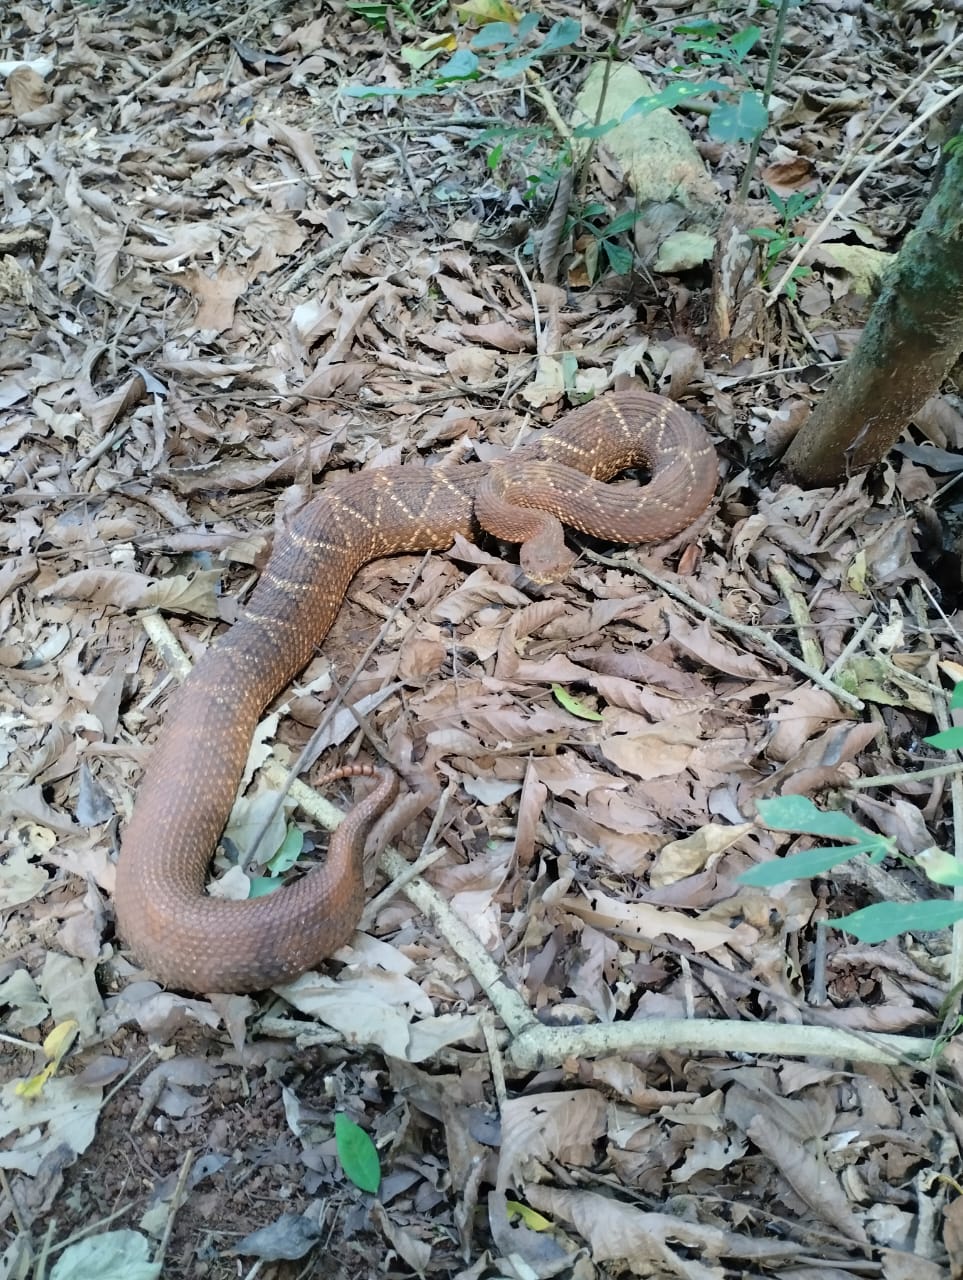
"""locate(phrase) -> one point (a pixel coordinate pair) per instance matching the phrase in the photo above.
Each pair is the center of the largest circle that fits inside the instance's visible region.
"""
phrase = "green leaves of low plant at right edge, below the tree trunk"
(882, 921)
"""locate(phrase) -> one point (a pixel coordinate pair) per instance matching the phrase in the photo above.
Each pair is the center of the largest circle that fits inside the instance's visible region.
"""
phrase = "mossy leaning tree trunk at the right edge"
(911, 342)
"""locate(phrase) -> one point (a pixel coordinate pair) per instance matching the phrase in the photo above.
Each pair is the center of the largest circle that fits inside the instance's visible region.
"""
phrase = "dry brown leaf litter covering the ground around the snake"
(221, 278)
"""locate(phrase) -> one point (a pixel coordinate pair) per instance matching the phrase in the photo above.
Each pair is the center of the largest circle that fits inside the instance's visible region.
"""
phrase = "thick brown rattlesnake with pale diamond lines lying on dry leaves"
(190, 940)
